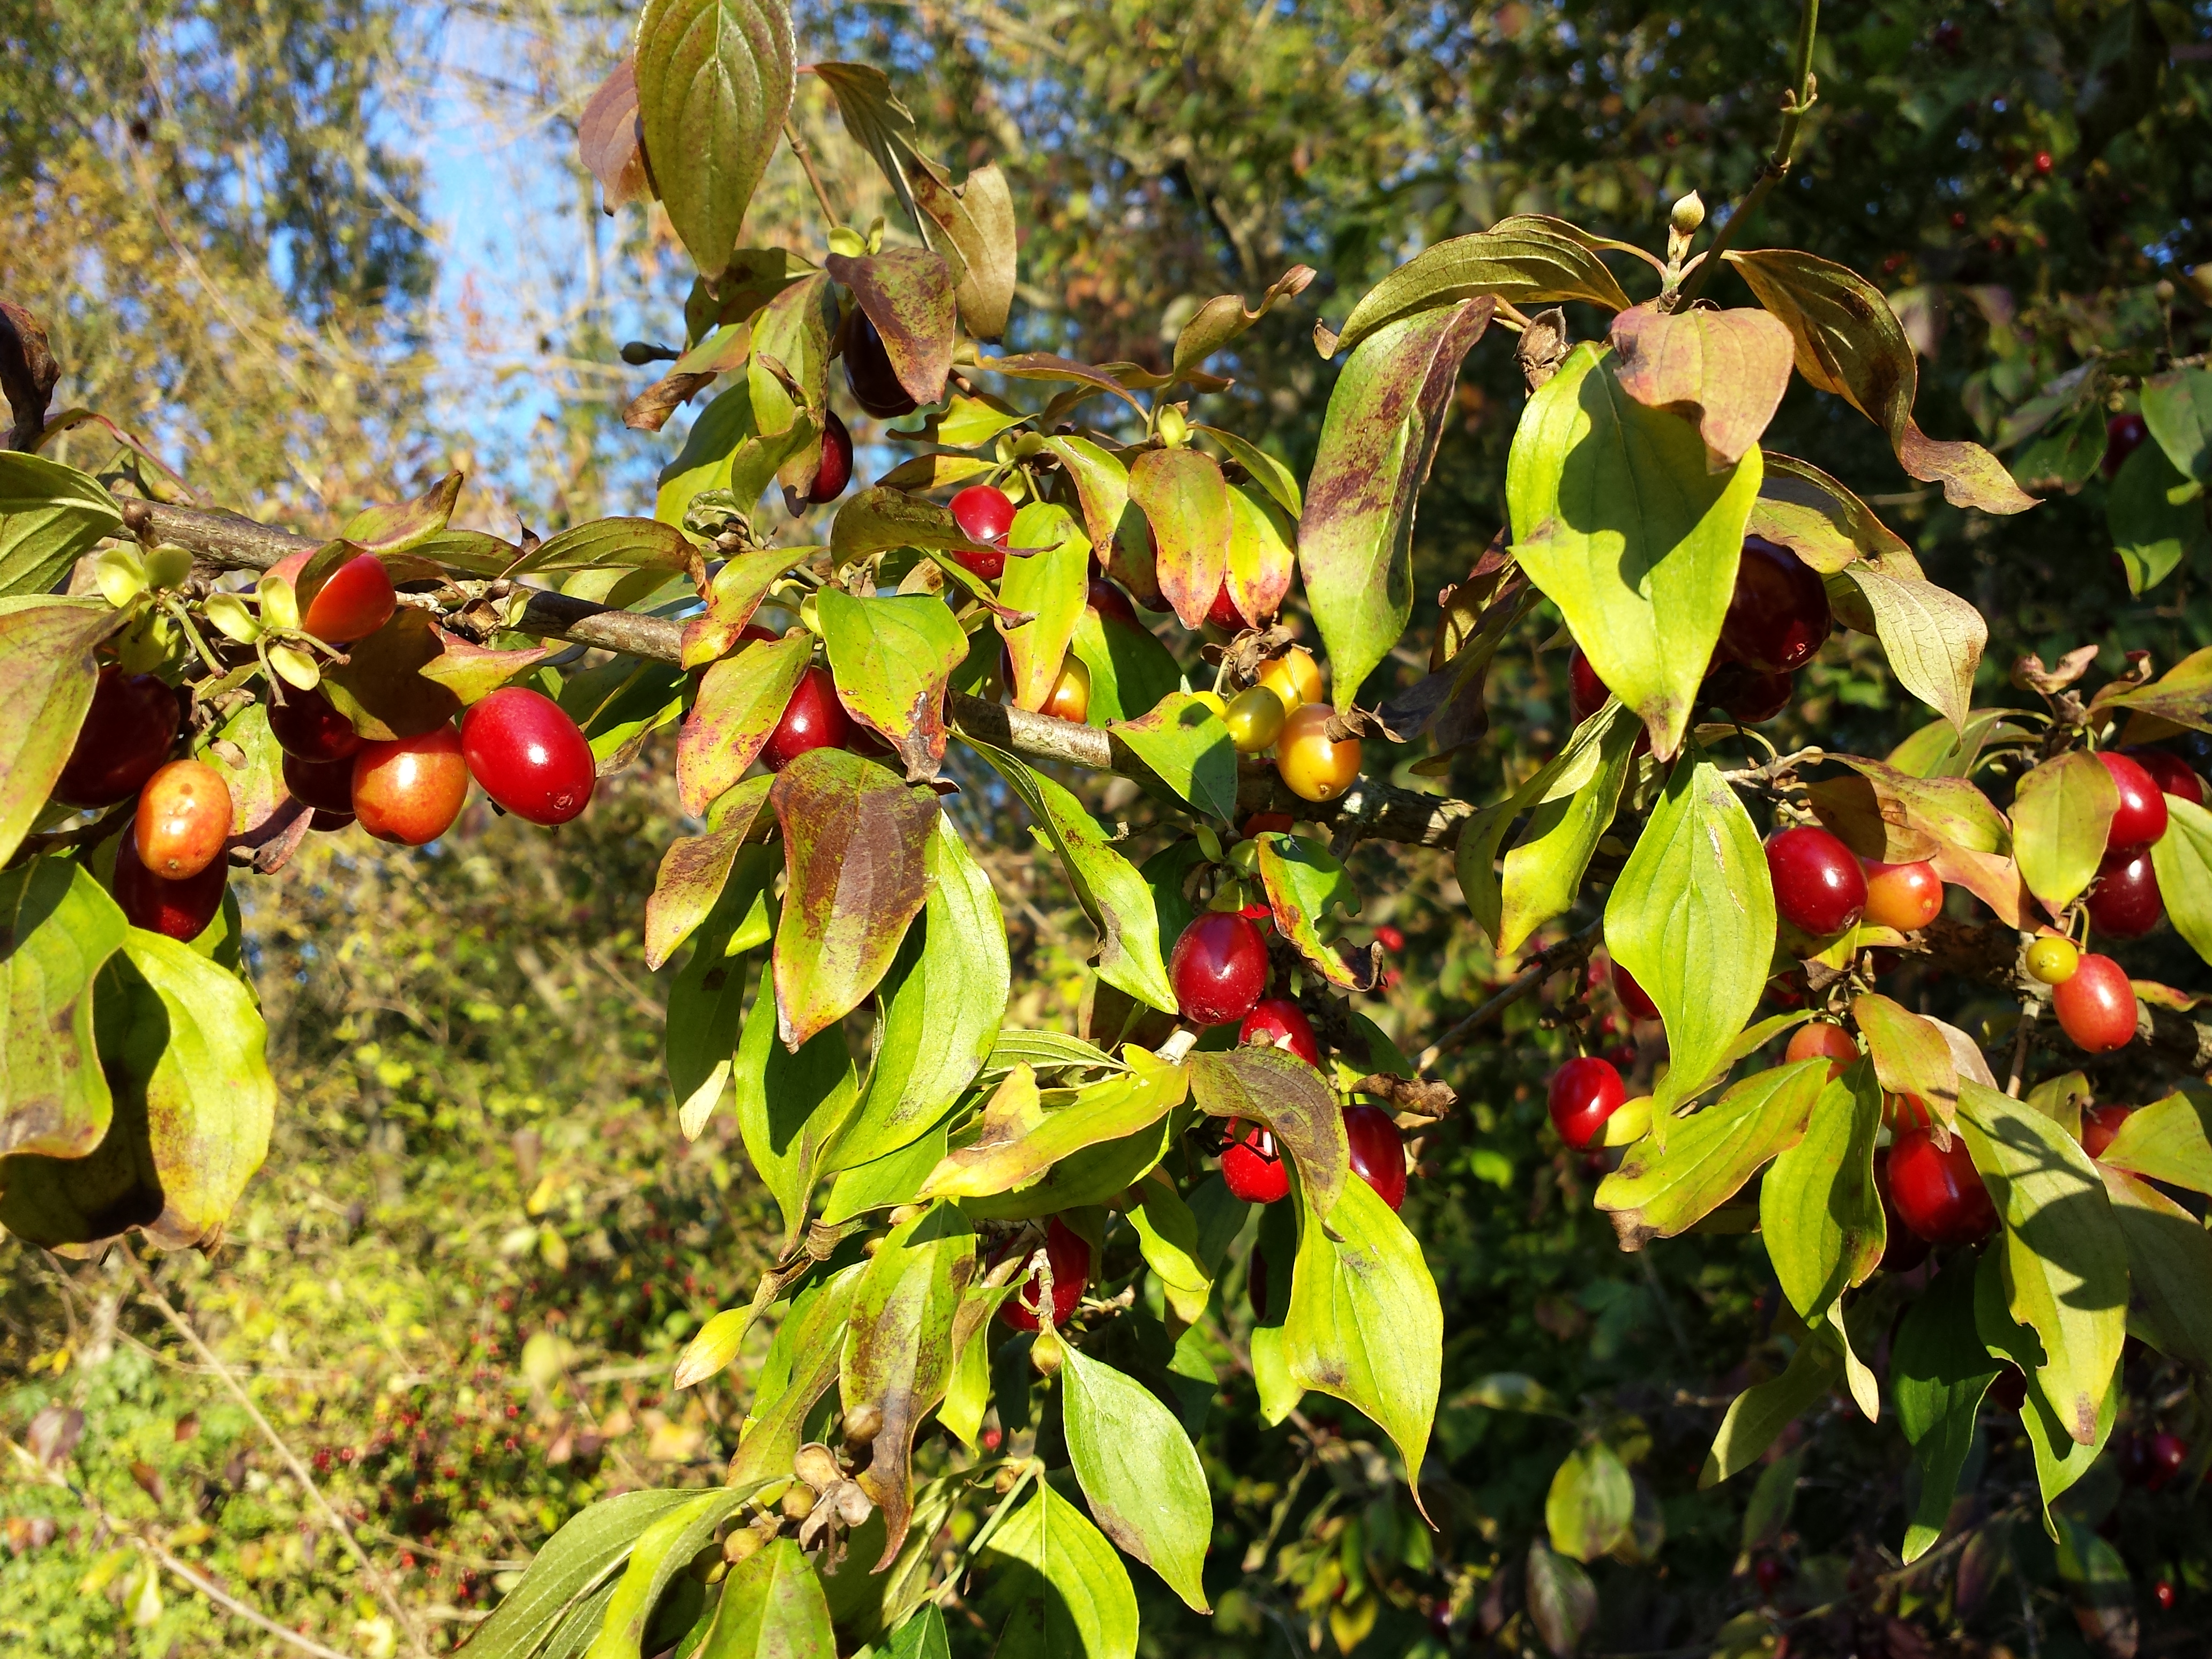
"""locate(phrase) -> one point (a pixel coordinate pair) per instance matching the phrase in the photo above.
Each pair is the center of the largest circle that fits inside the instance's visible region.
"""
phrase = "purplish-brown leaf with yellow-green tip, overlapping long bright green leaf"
(855, 857)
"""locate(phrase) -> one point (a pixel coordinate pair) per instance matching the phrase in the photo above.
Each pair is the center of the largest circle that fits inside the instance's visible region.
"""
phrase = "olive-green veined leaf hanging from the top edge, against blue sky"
(713, 87)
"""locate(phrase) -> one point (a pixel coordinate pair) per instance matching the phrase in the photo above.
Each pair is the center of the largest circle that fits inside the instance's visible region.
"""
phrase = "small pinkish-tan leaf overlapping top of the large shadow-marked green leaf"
(1726, 368)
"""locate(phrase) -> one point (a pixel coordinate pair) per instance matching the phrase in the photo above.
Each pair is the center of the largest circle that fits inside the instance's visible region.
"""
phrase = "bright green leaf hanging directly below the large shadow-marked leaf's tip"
(1693, 919)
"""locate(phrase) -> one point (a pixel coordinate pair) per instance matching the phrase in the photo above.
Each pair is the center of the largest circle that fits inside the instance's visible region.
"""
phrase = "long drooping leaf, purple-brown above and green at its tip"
(1377, 446)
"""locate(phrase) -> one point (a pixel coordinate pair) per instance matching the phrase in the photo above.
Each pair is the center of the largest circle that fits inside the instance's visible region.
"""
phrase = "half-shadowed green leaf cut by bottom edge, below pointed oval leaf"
(1061, 1587)
